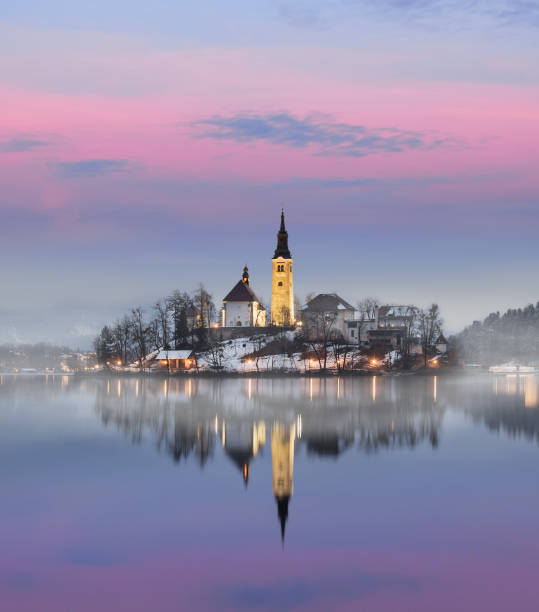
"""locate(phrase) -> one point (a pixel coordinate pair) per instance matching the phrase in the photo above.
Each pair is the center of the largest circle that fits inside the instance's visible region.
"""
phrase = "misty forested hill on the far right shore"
(513, 335)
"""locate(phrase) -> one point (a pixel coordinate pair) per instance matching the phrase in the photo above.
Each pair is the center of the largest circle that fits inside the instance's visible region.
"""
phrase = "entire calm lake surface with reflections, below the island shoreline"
(375, 494)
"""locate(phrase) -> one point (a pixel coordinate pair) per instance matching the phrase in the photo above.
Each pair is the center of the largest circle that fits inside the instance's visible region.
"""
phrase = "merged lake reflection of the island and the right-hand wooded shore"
(196, 419)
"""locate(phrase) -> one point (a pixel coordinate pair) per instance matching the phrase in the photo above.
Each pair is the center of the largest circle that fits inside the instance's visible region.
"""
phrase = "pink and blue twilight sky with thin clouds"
(147, 147)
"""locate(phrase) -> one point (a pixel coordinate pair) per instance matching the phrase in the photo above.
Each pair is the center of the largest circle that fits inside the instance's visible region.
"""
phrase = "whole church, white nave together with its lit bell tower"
(241, 306)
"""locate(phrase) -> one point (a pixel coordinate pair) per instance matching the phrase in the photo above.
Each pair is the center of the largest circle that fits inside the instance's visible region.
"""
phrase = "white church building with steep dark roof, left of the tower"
(241, 306)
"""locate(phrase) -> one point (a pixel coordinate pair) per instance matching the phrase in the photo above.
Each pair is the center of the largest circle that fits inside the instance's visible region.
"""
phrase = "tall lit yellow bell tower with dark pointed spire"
(282, 286)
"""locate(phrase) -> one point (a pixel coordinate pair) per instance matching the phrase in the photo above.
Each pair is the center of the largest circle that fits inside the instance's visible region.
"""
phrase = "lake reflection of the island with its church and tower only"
(189, 419)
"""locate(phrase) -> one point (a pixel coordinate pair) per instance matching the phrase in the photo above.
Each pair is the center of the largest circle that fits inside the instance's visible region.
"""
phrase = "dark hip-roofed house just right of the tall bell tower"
(326, 316)
